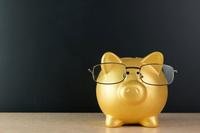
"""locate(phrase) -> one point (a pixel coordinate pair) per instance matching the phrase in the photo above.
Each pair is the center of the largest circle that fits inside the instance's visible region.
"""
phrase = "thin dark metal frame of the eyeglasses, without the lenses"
(125, 75)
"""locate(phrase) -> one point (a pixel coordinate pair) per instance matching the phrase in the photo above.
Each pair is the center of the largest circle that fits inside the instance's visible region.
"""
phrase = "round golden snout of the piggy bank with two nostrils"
(132, 92)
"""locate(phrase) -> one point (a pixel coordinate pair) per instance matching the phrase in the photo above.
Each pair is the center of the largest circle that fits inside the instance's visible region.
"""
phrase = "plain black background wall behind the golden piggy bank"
(47, 46)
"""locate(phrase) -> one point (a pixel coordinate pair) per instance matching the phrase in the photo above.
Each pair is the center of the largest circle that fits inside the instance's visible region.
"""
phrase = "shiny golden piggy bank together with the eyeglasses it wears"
(132, 90)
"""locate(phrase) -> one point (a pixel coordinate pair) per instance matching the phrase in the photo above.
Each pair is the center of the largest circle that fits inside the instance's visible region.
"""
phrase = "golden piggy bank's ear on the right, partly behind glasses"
(154, 58)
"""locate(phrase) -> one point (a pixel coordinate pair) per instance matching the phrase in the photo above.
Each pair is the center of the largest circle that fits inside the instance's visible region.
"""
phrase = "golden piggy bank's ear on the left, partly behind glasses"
(109, 57)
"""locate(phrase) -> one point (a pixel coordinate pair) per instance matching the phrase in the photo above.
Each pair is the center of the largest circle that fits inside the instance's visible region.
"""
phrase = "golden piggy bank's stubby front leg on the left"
(113, 122)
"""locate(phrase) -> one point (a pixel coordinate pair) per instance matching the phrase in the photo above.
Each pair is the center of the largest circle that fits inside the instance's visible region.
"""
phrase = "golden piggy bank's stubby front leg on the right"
(150, 121)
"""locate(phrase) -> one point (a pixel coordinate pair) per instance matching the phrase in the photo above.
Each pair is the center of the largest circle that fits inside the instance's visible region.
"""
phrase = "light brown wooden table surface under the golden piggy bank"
(92, 123)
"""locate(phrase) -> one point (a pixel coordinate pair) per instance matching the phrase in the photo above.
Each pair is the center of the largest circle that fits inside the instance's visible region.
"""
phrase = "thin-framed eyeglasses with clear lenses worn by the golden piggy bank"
(152, 74)
